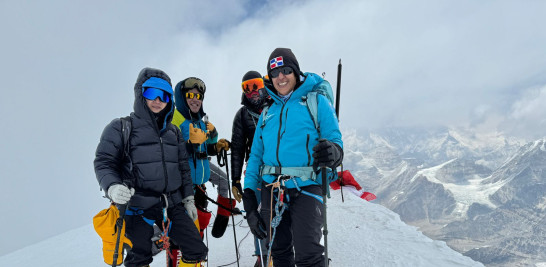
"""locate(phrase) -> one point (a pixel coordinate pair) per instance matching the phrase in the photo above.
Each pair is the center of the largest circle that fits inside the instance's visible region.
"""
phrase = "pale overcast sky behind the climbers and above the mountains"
(68, 68)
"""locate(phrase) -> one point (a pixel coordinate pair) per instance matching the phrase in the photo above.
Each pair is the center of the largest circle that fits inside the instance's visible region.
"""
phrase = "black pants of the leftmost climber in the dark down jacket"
(183, 232)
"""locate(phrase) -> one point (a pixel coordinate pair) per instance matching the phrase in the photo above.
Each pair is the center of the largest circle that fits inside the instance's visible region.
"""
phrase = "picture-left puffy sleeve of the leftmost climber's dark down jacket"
(109, 156)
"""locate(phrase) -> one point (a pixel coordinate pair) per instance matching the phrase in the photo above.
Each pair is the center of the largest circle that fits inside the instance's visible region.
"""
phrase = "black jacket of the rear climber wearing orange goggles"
(242, 134)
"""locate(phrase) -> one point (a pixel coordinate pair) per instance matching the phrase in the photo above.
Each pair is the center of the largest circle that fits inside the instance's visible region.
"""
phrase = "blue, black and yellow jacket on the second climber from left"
(198, 154)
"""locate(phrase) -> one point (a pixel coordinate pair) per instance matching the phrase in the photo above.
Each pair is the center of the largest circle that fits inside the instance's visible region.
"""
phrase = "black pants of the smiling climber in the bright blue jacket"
(300, 229)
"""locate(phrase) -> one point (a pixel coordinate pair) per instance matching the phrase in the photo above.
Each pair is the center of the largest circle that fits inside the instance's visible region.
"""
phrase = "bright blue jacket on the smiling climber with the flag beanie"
(286, 137)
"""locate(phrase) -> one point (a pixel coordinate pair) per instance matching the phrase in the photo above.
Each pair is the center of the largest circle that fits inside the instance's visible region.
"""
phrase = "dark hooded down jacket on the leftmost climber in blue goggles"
(159, 157)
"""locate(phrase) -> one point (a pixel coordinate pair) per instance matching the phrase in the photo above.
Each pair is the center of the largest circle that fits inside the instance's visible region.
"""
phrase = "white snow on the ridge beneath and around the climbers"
(361, 233)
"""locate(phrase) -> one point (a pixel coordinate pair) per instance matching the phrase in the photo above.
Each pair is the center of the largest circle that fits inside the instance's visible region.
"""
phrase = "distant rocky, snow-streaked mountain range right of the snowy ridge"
(483, 194)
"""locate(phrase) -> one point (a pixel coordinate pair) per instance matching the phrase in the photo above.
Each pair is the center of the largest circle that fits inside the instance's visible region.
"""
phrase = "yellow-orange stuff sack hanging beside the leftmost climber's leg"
(105, 225)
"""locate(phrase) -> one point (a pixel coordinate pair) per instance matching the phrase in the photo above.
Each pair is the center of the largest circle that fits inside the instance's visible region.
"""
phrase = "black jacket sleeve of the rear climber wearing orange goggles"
(238, 143)
